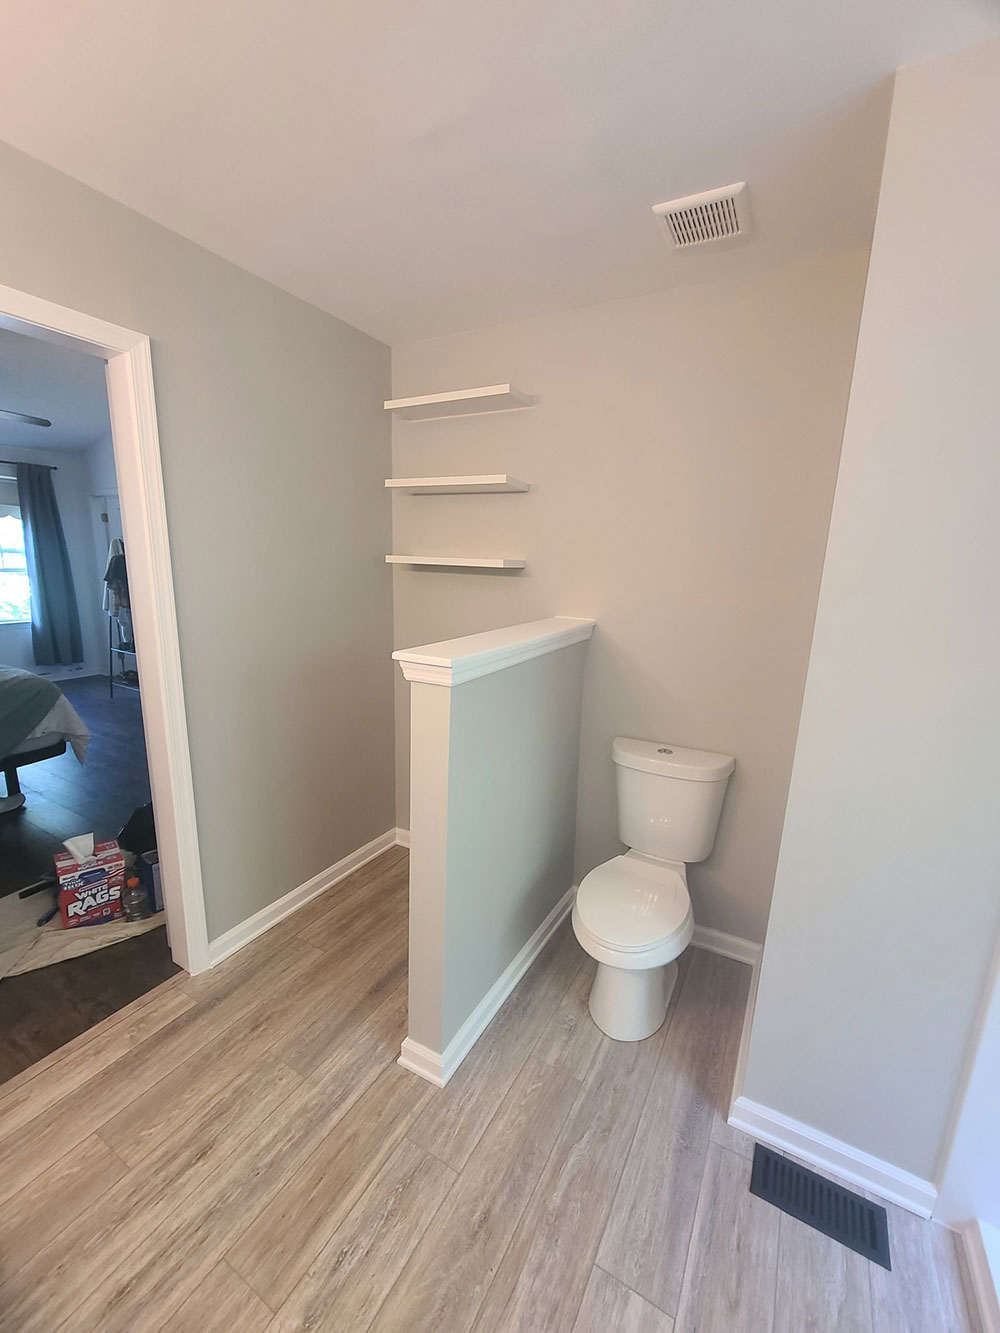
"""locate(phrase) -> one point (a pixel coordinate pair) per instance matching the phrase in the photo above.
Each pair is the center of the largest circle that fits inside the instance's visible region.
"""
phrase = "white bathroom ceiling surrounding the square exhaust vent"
(425, 167)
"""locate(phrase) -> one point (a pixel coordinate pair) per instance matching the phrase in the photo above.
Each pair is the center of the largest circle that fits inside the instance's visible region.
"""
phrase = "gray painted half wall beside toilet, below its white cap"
(495, 778)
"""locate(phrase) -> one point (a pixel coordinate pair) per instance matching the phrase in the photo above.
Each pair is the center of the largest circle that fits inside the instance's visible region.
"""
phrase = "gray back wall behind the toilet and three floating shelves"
(683, 457)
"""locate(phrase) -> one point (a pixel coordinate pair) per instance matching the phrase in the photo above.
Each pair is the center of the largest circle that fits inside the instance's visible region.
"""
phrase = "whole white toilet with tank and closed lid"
(634, 914)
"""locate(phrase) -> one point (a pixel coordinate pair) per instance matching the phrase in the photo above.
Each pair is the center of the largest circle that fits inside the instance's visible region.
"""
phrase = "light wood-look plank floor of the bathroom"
(241, 1152)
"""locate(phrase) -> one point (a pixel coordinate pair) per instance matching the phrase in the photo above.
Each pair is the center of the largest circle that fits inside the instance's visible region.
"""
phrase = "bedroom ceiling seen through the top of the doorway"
(67, 387)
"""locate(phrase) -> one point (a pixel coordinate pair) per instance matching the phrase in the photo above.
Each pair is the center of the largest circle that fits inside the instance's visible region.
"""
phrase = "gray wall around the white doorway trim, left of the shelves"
(274, 454)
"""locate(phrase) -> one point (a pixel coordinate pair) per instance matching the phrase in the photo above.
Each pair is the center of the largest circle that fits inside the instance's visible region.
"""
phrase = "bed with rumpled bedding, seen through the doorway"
(37, 723)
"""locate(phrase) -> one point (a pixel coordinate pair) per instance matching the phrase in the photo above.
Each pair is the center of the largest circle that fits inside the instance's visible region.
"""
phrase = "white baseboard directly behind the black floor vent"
(834, 1156)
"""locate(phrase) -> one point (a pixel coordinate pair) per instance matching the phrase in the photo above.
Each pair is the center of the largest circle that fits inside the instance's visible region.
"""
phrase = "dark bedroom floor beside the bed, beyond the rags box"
(65, 798)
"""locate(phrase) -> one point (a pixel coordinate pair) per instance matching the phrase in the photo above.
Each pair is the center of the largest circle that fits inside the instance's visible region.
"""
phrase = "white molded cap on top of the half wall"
(453, 662)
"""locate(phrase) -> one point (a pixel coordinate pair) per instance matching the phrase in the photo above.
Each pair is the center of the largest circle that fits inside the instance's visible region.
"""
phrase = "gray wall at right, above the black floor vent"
(886, 904)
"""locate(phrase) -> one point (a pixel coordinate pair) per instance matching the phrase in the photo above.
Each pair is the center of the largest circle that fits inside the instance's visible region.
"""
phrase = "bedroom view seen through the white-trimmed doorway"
(73, 746)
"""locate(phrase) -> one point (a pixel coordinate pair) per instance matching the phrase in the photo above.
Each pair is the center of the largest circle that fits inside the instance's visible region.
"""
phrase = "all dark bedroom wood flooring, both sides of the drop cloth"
(42, 1011)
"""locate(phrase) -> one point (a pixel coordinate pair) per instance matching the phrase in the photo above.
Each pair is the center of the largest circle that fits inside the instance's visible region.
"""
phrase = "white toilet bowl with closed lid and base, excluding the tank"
(634, 916)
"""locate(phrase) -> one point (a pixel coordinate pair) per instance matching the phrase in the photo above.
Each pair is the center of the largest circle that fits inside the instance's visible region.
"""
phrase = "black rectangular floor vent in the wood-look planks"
(837, 1212)
